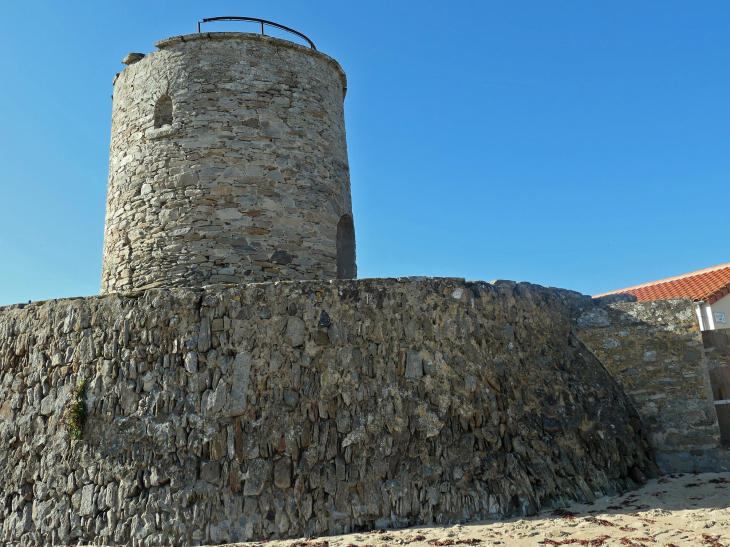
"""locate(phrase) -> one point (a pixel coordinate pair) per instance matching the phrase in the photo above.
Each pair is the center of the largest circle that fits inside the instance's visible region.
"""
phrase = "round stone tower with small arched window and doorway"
(228, 164)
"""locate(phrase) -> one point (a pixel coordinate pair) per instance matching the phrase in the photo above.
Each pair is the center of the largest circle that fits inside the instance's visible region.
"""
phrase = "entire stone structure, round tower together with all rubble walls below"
(242, 385)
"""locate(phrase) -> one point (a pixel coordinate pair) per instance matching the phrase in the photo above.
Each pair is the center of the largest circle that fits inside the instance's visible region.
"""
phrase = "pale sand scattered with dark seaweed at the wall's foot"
(675, 510)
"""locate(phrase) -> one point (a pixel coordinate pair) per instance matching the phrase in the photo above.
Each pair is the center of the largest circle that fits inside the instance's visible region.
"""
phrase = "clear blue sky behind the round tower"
(567, 143)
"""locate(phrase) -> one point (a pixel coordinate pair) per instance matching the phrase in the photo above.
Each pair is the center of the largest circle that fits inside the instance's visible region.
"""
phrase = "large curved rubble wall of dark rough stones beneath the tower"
(284, 409)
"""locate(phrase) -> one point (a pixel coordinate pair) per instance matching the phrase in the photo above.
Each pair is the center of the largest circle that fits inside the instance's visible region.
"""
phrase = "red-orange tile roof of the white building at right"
(710, 284)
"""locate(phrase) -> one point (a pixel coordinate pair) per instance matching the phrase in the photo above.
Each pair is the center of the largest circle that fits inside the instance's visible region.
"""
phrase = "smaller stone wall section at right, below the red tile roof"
(654, 350)
